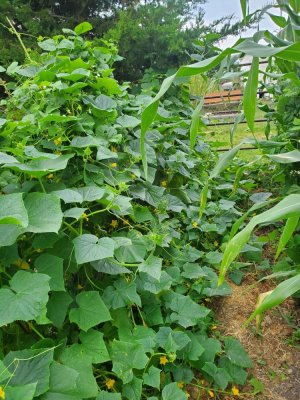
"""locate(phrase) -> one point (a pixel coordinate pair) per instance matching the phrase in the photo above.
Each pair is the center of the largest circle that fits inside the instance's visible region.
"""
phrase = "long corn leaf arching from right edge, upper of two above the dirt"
(287, 208)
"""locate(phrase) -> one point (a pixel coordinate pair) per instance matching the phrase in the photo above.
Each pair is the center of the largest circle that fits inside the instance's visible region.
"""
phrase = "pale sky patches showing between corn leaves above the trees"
(215, 9)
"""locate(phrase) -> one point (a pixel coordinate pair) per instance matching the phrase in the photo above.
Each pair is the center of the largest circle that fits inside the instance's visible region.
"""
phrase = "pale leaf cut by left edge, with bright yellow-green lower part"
(12, 210)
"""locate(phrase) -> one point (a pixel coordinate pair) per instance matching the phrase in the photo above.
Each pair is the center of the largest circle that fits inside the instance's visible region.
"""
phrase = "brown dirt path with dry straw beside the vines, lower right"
(276, 364)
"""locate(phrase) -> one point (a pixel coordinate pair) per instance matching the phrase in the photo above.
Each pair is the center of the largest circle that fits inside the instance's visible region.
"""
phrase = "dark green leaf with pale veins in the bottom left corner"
(30, 367)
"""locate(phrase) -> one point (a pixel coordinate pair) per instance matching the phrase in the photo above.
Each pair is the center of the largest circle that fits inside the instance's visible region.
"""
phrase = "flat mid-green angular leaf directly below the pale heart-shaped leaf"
(91, 310)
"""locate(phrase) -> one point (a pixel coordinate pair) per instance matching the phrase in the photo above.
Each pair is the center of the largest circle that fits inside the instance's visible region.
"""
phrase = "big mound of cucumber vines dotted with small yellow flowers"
(104, 278)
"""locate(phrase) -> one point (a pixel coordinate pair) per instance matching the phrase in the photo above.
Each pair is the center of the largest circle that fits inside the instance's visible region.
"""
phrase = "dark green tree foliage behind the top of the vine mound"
(149, 33)
